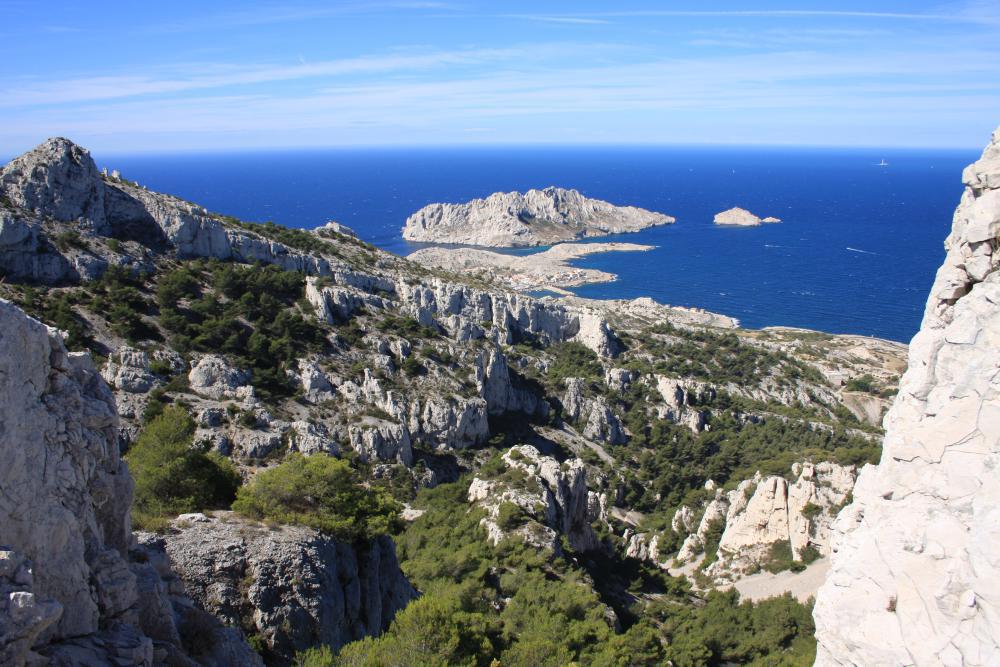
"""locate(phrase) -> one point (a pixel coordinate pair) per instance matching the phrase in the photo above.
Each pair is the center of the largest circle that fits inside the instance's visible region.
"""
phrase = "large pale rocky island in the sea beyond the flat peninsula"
(536, 217)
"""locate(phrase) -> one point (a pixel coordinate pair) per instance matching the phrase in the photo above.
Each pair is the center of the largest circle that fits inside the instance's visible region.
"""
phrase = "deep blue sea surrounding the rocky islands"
(856, 253)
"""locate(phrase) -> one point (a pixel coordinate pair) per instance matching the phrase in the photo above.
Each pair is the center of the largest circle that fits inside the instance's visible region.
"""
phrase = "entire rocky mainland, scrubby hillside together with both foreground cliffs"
(491, 445)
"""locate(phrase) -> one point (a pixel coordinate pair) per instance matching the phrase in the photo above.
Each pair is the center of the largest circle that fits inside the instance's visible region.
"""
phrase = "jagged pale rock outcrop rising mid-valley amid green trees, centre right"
(549, 500)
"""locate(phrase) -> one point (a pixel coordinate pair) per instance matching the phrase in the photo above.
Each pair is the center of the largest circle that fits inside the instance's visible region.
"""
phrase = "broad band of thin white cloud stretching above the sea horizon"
(643, 97)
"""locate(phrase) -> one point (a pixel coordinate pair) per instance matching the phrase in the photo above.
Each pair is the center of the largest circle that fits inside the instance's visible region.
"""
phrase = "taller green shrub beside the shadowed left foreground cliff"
(171, 476)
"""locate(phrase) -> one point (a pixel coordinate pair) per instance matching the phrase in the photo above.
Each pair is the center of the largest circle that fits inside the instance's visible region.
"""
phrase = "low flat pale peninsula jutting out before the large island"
(549, 270)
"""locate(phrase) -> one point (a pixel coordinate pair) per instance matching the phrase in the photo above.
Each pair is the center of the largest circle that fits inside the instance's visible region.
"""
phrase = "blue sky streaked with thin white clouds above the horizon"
(135, 77)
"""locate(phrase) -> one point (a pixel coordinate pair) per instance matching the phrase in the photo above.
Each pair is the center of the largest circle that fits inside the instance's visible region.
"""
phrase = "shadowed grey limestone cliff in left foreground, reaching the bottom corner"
(69, 590)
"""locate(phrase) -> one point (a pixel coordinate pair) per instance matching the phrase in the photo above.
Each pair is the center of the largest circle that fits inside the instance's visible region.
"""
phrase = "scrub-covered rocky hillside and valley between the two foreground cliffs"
(403, 465)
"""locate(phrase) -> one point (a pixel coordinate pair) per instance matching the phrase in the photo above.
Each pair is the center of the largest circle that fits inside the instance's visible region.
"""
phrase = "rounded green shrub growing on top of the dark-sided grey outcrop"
(321, 492)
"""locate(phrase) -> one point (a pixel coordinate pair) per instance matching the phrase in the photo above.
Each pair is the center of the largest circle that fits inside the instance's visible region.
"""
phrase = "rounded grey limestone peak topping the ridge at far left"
(58, 179)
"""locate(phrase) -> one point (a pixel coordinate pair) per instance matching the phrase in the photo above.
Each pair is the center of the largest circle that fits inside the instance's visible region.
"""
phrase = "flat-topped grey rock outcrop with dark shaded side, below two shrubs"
(293, 587)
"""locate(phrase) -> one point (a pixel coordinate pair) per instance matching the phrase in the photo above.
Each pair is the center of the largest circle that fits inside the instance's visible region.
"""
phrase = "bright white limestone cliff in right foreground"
(915, 575)
